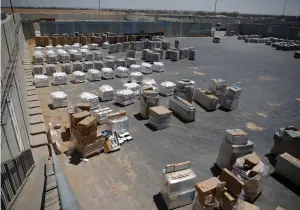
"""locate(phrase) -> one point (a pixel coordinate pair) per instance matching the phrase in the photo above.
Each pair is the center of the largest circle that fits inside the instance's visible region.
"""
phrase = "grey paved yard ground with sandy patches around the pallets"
(131, 177)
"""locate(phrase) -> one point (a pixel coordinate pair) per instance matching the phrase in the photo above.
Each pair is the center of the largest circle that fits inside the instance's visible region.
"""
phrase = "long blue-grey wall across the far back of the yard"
(86, 27)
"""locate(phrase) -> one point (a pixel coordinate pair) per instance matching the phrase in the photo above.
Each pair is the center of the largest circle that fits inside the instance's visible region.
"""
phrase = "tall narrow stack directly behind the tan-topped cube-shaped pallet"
(148, 98)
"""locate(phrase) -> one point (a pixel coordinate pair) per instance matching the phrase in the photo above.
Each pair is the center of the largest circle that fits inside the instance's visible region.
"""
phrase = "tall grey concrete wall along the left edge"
(14, 131)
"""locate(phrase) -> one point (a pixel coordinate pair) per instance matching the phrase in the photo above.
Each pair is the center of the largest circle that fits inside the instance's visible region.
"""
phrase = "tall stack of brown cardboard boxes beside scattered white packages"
(83, 129)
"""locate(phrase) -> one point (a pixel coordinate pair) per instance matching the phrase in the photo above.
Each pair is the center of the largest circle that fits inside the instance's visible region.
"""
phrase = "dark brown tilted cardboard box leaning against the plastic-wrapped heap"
(233, 184)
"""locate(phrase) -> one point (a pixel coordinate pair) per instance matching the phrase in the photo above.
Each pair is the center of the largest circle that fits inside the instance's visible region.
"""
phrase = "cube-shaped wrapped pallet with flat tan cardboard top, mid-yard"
(159, 117)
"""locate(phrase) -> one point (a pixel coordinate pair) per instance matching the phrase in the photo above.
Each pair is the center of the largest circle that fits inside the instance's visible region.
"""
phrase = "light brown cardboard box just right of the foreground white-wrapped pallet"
(207, 188)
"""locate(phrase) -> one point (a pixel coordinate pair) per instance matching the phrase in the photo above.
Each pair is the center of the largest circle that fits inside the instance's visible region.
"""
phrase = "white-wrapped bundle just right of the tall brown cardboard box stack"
(117, 122)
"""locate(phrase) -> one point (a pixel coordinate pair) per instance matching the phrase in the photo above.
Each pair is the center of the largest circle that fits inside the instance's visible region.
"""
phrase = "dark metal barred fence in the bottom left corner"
(14, 173)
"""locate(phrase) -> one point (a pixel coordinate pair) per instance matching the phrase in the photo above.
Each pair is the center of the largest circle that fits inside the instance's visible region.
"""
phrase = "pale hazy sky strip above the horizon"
(242, 6)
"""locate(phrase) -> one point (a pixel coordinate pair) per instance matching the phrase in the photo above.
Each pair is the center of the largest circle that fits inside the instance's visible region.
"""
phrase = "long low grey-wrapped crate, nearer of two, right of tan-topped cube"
(182, 108)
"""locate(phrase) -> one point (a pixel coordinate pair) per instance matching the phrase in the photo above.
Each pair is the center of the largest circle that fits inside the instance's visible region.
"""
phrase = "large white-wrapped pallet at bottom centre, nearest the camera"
(178, 185)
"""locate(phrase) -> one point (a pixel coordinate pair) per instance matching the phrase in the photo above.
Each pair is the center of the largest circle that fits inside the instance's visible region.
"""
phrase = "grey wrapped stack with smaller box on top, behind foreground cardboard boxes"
(235, 145)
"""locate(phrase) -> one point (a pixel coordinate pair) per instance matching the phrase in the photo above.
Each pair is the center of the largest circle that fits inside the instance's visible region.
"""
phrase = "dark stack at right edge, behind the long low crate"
(287, 140)
